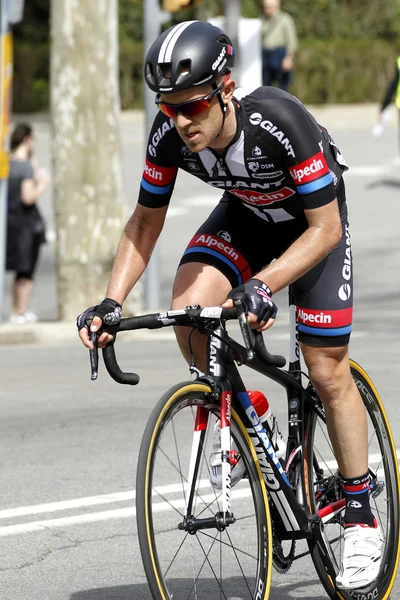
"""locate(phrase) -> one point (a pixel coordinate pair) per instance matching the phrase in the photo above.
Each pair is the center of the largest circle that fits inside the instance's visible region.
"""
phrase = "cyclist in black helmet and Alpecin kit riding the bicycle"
(282, 220)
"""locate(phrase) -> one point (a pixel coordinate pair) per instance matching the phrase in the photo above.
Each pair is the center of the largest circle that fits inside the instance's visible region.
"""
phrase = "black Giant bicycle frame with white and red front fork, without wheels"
(222, 370)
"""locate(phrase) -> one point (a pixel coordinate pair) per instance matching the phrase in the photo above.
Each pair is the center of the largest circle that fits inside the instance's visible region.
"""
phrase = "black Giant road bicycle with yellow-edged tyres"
(203, 542)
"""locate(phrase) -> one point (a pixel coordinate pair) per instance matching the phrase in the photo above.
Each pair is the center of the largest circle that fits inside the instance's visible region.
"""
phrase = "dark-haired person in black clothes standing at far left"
(25, 225)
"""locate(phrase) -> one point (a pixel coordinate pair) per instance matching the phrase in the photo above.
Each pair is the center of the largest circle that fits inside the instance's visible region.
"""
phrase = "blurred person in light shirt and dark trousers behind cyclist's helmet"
(279, 43)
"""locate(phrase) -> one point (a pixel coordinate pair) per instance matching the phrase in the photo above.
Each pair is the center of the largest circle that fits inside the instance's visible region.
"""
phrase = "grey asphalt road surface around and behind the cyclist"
(69, 446)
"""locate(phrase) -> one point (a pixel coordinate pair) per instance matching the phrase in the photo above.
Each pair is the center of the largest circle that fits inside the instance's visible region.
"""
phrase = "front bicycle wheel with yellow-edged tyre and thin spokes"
(160, 541)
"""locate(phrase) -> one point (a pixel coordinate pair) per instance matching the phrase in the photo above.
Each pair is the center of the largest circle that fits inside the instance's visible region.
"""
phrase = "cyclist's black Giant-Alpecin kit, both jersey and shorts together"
(279, 164)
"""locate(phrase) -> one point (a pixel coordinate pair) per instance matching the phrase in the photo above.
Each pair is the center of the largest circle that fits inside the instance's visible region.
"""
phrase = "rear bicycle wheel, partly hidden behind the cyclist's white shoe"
(386, 506)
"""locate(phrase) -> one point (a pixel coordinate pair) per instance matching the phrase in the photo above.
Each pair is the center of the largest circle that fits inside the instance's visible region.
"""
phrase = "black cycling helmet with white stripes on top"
(186, 55)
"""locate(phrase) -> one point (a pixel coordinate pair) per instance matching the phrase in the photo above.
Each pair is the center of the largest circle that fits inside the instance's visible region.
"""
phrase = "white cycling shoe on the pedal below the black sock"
(361, 557)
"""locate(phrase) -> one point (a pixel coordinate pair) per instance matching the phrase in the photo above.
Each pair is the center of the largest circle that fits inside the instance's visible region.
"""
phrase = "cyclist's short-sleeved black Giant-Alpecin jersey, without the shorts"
(280, 162)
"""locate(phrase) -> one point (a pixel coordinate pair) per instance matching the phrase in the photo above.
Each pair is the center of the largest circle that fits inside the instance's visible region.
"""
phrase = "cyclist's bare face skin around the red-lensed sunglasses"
(197, 132)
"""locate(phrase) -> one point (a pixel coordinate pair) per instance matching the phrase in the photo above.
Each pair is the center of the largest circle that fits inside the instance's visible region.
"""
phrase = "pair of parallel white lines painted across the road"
(119, 513)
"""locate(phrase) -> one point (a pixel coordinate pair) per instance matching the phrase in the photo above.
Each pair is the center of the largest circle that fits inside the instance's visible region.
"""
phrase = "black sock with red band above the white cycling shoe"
(356, 493)
